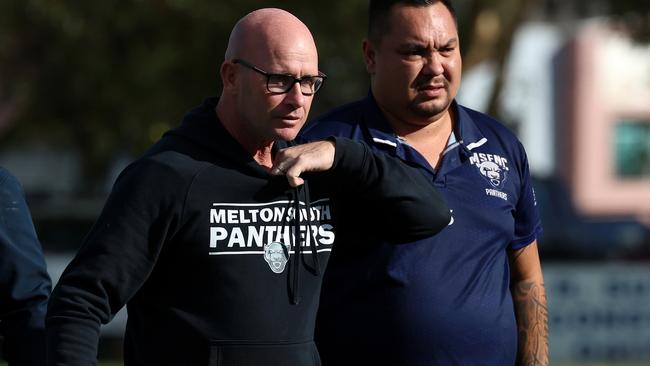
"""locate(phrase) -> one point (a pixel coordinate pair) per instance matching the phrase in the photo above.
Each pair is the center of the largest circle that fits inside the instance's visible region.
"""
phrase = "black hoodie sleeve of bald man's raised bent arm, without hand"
(399, 196)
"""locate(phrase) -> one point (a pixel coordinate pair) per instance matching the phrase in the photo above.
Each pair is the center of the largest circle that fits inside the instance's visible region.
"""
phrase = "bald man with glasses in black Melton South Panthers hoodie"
(215, 239)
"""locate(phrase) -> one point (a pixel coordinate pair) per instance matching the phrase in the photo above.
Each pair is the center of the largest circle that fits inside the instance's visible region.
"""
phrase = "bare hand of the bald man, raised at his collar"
(312, 157)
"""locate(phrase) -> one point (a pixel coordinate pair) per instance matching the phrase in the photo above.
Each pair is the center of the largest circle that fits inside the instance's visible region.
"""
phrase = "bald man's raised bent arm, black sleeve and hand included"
(402, 197)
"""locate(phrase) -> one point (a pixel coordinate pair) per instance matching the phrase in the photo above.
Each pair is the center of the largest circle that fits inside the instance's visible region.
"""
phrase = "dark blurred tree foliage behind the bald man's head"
(109, 76)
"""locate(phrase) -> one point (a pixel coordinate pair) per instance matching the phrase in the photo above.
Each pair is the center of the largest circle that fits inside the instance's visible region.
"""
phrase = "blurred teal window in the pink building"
(632, 148)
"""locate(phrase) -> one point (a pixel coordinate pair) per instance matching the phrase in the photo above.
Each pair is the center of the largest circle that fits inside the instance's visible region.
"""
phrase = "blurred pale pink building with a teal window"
(604, 122)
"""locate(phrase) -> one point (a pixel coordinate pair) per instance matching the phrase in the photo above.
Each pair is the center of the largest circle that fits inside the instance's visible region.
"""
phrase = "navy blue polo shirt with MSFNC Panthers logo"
(444, 300)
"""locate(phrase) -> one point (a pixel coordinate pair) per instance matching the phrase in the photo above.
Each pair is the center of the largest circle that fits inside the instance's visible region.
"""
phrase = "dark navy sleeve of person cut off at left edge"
(24, 282)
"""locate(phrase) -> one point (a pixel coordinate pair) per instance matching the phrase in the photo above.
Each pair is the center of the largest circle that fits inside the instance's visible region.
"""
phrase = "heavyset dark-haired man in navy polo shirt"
(474, 293)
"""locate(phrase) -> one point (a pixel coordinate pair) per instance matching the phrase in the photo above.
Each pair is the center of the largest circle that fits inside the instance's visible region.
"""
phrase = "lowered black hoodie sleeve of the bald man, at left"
(117, 256)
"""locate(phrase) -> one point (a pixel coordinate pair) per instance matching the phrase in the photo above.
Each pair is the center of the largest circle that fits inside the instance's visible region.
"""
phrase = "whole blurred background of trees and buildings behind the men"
(85, 87)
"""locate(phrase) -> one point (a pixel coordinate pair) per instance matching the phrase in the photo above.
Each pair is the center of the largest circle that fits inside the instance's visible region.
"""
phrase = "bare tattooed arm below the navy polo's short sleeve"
(529, 298)
